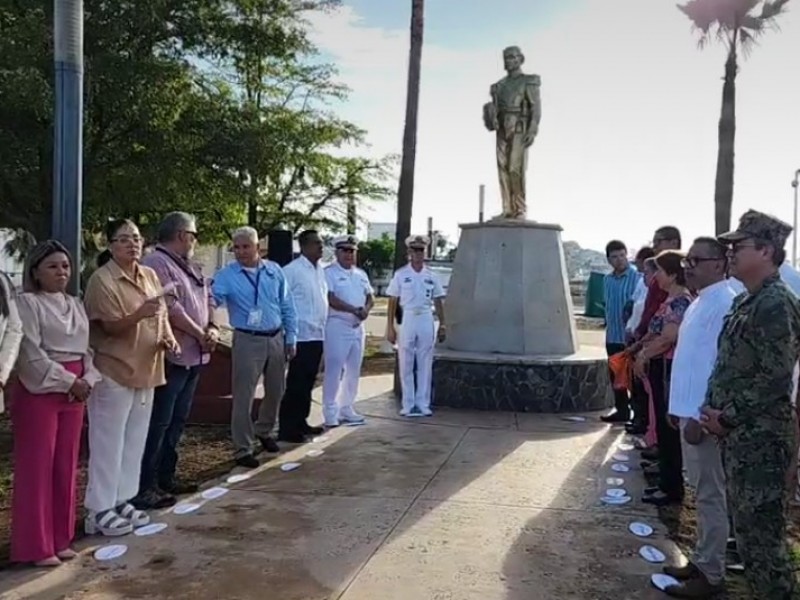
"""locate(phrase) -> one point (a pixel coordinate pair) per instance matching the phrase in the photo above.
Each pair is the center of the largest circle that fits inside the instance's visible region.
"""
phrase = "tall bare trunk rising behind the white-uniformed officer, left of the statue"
(405, 192)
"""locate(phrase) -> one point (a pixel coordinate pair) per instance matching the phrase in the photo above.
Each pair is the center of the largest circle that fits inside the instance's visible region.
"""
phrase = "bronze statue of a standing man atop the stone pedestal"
(514, 113)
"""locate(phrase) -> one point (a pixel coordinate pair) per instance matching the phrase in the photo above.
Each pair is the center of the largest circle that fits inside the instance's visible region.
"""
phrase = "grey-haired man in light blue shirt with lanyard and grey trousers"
(262, 314)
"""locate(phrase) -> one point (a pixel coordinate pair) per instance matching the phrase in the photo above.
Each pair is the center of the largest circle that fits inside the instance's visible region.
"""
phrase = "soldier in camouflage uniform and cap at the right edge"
(748, 405)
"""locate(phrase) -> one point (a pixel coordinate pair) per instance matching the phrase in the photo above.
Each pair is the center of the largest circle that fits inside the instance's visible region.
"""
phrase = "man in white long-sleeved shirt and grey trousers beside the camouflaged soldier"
(695, 355)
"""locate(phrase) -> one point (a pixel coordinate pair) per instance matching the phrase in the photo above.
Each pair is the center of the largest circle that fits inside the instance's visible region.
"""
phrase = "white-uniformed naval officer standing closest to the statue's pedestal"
(417, 289)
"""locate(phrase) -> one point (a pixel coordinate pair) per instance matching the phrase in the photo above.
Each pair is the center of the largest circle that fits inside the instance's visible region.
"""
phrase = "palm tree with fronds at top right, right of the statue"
(737, 24)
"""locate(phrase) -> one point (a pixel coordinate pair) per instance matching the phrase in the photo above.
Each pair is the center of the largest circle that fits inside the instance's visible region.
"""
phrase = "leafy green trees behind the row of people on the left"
(218, 108)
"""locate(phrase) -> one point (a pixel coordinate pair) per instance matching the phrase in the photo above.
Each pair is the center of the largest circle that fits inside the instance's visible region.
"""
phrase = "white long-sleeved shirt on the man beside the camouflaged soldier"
(696, 350)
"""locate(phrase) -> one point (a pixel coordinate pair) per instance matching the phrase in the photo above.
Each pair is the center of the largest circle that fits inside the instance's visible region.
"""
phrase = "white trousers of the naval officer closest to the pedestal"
(415, 342)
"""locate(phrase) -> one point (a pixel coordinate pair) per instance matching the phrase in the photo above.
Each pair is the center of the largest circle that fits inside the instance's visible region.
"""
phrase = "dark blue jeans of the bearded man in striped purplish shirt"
(172, 403)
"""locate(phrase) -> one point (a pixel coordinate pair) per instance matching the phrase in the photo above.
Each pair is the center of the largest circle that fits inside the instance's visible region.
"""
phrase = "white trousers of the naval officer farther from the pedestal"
(344, 352)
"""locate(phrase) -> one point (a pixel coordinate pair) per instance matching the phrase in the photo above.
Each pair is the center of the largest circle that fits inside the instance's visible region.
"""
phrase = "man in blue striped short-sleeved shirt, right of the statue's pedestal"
(618, 289)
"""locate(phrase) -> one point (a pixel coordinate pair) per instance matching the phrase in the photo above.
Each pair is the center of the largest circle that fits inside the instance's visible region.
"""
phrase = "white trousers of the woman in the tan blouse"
(119, 418)
